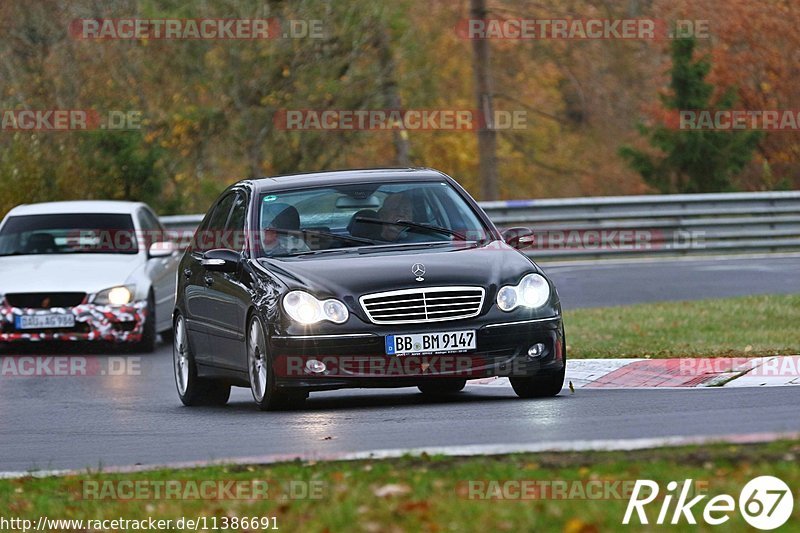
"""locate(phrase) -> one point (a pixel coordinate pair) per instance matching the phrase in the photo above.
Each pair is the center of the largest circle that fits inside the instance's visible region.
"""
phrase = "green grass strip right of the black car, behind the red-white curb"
(748, 326)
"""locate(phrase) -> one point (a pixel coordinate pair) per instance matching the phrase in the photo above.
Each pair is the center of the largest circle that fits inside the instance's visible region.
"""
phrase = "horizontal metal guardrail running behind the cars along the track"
(624, 226)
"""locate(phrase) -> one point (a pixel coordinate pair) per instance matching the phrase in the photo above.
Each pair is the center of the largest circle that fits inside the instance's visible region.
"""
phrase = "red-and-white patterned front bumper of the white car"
(117, 324)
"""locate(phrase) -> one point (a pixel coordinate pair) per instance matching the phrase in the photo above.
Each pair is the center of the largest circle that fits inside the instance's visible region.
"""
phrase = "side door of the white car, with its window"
(160, 270)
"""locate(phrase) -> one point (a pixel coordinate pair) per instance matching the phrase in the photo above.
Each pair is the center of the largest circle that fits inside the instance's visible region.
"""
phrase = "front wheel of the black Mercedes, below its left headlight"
(261, 372)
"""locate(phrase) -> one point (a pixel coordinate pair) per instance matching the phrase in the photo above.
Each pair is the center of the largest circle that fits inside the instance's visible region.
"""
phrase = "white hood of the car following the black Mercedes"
(65, 273)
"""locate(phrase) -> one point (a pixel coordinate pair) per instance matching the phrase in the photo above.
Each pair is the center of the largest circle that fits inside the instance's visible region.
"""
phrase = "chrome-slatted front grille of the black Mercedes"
(423, 305)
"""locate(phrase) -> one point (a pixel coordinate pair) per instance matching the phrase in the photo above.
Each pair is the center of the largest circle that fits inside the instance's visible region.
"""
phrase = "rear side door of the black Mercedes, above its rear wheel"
(198, 309)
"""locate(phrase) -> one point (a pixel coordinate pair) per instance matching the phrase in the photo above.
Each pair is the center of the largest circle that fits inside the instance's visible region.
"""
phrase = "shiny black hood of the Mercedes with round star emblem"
(356, 274)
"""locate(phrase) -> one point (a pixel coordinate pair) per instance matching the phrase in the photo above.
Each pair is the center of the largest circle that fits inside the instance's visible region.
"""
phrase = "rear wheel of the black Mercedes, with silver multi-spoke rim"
(193, 390)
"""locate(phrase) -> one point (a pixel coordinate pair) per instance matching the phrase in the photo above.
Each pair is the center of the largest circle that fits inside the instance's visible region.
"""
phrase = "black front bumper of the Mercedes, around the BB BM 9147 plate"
(359, 360)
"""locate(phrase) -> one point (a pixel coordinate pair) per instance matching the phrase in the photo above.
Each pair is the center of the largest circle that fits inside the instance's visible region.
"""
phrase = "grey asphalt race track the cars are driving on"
(89, 421)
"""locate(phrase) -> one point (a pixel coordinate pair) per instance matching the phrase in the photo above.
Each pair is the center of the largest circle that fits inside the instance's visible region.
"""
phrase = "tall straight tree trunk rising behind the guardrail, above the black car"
(487, 137)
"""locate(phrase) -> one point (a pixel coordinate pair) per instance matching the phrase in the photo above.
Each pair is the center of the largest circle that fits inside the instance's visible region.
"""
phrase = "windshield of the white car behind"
(68, 233)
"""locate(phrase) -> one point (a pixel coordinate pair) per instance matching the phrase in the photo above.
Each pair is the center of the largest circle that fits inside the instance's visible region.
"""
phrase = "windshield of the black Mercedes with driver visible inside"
(365, 214)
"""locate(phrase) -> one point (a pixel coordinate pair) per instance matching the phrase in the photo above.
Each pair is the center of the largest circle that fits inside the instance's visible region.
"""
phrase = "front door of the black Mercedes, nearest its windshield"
(227, 295)
